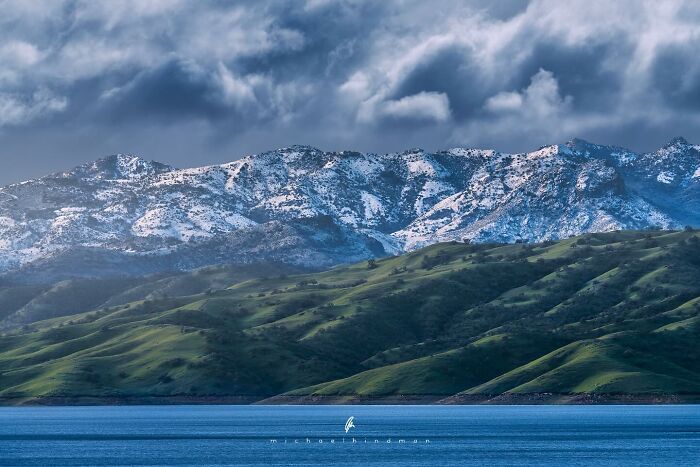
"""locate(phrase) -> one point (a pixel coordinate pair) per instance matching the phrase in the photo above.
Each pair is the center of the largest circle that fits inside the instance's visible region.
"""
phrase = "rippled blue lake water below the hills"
(456, 435)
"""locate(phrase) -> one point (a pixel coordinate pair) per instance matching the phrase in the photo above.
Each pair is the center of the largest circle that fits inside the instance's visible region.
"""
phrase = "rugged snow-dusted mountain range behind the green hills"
(122, 215)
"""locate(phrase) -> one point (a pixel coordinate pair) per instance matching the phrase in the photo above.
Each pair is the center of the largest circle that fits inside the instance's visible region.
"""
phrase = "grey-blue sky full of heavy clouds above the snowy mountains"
(191, 83)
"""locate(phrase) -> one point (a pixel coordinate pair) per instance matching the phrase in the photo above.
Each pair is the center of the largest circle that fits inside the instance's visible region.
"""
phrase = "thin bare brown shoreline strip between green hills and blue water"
(459, 399)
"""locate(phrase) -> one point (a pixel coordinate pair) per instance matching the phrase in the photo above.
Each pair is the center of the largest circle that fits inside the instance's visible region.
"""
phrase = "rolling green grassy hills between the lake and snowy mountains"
(602, 314)
